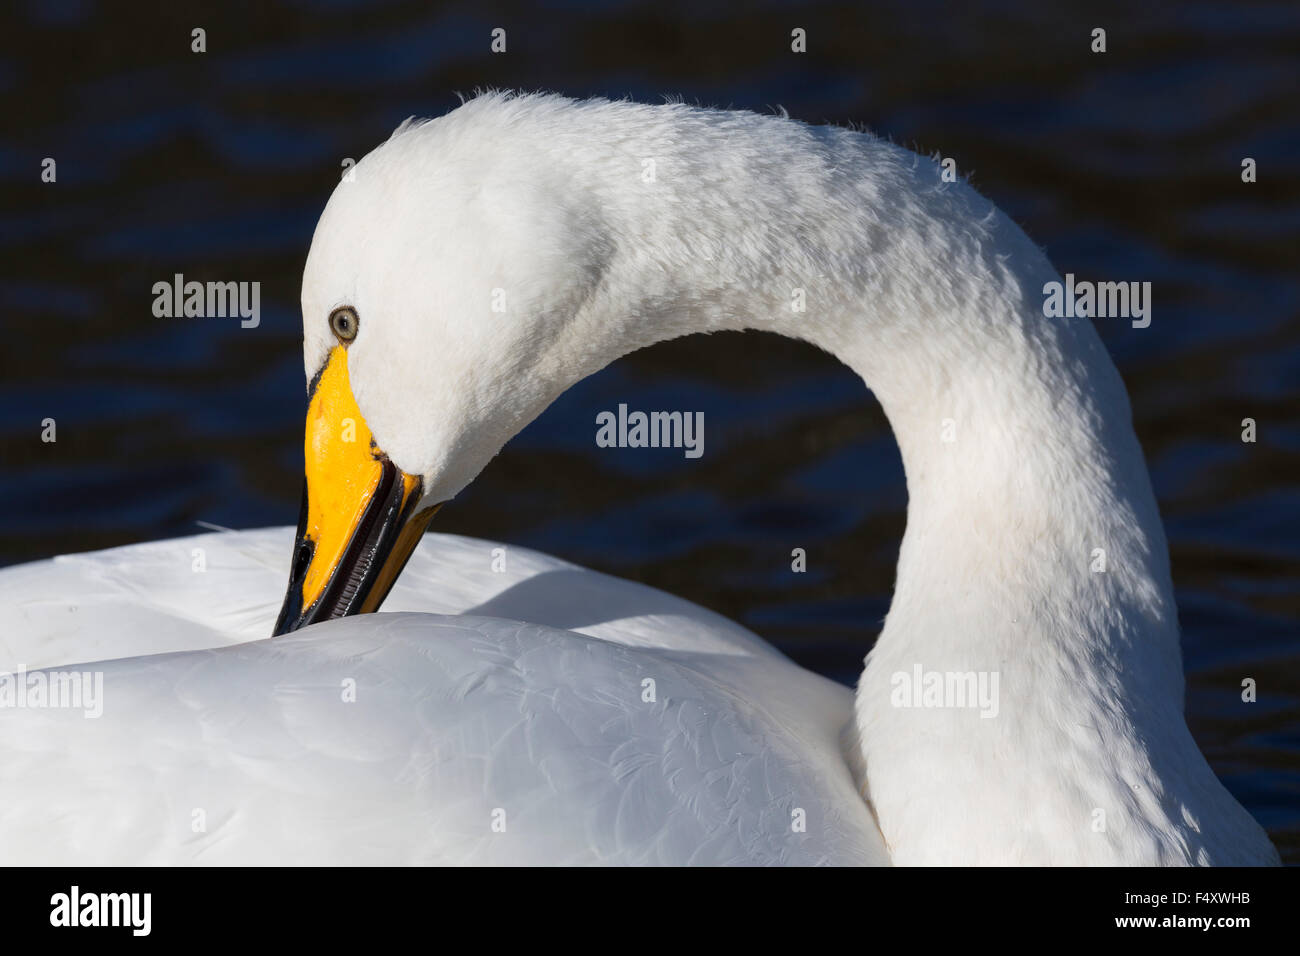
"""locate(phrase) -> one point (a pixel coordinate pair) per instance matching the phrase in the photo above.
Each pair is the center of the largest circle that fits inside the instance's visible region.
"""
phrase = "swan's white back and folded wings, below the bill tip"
(471, 738)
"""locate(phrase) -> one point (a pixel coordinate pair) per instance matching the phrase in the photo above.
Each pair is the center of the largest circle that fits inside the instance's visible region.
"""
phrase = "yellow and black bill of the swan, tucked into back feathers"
(359, 521)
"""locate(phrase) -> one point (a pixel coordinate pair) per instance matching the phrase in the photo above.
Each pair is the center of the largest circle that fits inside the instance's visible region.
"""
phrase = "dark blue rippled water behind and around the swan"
(1125, 166)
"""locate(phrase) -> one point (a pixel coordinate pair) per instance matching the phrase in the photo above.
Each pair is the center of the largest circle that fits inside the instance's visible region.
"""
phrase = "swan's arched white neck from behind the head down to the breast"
(1034, 553)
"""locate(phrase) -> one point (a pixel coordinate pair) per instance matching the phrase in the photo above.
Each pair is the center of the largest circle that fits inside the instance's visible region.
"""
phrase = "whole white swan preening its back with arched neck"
(475, 269)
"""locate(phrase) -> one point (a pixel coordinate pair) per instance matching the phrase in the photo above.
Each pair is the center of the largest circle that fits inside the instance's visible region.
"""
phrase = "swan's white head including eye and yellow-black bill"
(444, 308)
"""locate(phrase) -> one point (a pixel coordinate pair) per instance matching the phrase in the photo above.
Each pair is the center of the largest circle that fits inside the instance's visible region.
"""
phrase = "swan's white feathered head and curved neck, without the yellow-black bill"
(1034, 559)
